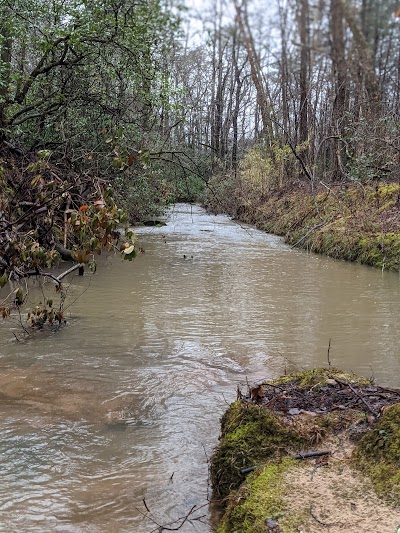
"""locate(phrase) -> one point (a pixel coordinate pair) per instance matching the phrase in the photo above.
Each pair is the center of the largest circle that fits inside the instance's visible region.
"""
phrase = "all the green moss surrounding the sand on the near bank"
(254, 436)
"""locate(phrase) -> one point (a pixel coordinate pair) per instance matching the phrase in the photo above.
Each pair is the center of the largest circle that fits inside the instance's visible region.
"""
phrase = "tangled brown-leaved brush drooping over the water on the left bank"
(42, 218)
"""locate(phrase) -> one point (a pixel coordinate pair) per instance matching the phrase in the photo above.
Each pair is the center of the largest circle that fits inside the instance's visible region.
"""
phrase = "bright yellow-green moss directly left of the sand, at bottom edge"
(260, 498)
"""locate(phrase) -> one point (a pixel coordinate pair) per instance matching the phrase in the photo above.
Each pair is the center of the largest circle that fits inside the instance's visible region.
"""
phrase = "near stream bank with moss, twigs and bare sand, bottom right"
(316, 449)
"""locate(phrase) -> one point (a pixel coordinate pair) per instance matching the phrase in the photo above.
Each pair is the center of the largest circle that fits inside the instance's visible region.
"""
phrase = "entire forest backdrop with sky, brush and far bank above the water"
(282, 115)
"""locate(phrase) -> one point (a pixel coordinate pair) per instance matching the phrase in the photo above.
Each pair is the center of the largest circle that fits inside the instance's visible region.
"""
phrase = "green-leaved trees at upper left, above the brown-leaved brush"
(88, 81)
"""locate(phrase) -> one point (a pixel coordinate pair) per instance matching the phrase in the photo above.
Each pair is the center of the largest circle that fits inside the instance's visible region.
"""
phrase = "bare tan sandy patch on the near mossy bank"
(333, 497)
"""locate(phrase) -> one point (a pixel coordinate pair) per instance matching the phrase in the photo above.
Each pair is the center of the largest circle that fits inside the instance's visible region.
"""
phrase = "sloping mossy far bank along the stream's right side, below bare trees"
(354, 222)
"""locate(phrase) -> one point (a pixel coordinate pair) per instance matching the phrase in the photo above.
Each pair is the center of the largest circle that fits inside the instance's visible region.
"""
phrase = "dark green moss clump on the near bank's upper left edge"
(250, 435)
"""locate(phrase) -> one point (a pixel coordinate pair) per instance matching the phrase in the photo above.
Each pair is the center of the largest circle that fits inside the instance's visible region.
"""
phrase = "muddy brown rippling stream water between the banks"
(104, 413)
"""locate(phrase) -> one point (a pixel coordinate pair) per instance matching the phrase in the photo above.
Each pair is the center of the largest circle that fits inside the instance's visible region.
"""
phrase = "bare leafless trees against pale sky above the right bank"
(322, 101)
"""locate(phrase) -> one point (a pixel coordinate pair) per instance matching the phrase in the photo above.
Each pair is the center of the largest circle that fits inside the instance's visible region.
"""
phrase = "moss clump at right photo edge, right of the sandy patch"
(378, 454)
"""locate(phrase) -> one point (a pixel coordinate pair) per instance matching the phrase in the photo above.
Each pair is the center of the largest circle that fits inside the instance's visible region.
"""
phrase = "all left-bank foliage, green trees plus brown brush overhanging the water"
(82, 87)
